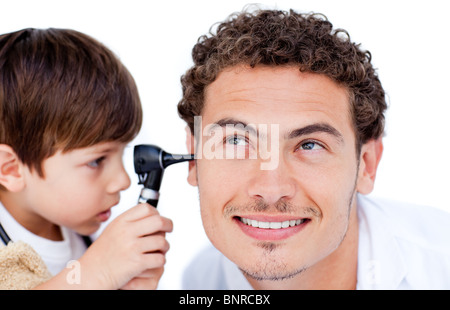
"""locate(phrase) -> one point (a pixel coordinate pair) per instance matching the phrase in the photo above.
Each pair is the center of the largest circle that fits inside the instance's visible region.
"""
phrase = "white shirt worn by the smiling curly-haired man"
(401, 246)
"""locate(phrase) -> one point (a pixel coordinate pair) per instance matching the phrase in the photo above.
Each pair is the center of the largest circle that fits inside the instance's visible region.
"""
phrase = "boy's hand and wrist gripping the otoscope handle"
(130, 253)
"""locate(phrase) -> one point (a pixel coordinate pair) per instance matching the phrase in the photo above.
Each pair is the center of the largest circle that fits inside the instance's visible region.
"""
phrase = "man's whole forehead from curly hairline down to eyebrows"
(274, 95)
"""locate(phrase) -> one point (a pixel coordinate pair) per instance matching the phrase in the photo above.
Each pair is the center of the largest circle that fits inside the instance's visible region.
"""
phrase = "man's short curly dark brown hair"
(272, 37)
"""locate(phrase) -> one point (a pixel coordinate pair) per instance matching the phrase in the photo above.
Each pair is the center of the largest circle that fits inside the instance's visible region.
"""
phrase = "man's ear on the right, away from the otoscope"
(369, 159)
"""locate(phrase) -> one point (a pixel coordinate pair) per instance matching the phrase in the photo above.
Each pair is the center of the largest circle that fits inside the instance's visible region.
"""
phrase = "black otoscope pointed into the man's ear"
(149, 163)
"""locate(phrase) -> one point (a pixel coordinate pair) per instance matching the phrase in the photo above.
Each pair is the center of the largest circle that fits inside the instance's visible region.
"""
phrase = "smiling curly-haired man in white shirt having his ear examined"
(286, 117)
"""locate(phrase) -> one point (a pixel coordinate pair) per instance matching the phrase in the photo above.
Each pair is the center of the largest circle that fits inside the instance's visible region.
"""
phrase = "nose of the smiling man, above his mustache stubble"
(273, 184)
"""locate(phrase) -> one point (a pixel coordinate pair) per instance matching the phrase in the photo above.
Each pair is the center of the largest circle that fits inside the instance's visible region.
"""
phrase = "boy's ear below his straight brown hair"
(11, 169)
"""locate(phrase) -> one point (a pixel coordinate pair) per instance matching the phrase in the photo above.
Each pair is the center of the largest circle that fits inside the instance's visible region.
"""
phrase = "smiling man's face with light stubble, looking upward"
(274, 221)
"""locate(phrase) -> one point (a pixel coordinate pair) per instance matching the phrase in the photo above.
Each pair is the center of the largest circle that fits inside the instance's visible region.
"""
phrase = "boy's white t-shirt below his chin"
(55, 254)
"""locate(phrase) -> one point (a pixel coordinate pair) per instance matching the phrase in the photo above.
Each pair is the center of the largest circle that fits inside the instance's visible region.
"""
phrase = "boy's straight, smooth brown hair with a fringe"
(61, 90)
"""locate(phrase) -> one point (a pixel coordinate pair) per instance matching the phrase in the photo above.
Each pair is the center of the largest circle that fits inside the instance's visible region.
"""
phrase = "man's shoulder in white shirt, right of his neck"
(409, 244)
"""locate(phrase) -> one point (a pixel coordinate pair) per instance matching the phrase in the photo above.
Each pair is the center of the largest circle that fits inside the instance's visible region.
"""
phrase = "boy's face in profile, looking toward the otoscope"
(79, 188)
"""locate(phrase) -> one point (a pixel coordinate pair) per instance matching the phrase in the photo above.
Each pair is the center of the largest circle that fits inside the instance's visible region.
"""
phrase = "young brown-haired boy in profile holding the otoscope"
(68, 107)
